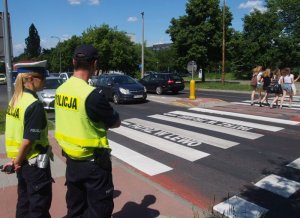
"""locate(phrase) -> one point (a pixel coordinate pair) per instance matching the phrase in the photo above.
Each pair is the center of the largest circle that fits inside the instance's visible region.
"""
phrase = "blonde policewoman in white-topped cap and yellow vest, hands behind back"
(26, 139)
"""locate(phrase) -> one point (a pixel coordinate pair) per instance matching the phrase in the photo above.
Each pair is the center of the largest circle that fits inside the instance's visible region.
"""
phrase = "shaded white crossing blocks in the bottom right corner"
(237, 206)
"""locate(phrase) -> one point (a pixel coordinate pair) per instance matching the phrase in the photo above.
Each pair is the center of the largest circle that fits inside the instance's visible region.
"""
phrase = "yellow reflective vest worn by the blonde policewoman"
(15, 118)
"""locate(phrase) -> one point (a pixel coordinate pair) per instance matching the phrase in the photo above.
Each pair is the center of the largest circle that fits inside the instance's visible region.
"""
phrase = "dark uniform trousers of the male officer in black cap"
(90, 188)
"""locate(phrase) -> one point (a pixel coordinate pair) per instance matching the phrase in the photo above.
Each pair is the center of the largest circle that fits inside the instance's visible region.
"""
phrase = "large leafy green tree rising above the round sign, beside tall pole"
(198, 34)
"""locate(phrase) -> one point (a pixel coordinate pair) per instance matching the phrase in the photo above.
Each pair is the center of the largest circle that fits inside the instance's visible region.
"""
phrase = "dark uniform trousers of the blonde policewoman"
(34, 192)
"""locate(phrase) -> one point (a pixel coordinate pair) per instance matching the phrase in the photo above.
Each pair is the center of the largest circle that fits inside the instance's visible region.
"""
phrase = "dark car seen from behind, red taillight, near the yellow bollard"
(163, 82)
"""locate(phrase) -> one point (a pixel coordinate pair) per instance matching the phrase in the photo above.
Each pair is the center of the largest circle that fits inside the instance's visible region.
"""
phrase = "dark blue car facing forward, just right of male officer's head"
(121, 88)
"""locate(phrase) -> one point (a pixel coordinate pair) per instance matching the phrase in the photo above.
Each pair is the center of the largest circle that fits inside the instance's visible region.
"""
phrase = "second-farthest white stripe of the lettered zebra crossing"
(226, 120)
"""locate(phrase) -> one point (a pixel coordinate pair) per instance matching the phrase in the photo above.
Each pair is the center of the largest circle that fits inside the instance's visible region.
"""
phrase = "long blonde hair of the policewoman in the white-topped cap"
(19, 86)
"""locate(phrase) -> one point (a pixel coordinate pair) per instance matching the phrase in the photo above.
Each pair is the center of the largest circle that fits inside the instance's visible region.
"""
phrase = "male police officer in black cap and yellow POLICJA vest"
(82, 117)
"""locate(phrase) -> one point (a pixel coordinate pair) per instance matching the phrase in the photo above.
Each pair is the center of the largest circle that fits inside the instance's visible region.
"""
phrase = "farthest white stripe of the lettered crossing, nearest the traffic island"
(248, 116)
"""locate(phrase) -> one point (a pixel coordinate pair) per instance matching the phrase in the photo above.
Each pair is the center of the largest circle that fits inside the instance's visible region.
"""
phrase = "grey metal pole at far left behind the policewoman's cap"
(7, 50)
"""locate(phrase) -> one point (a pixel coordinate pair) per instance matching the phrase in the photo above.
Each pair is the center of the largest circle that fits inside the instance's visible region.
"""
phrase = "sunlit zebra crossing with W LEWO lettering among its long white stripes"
(194, 129)
